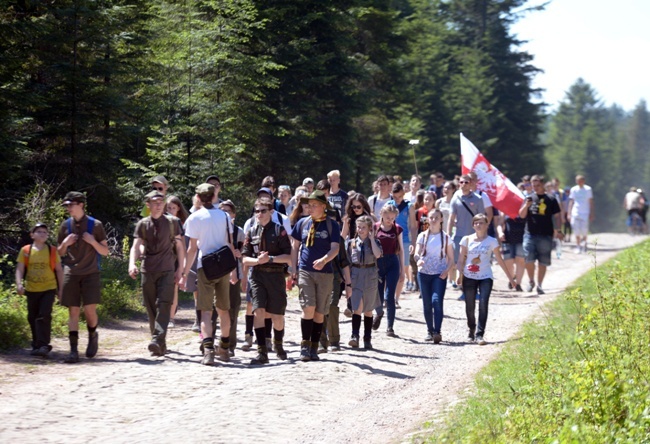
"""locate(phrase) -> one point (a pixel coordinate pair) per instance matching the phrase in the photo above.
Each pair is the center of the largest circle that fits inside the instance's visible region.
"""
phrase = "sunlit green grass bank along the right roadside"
(581, 376)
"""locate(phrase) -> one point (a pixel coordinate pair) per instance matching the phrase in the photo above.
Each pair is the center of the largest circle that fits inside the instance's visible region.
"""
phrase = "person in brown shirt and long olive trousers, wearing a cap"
(161, 237)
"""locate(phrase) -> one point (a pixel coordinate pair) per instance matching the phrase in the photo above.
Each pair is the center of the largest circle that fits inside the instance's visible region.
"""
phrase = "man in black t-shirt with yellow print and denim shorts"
(543, 221)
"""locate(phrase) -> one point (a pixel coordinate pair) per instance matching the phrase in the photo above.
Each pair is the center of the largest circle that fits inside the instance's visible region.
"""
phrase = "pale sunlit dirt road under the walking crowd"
(378, 396)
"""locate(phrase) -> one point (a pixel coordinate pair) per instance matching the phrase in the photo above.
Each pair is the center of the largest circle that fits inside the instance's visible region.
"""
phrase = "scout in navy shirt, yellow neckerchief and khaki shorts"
(316, 243)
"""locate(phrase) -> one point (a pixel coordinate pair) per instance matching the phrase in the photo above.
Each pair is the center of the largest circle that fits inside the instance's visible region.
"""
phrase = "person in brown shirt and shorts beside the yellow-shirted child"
(81, 242)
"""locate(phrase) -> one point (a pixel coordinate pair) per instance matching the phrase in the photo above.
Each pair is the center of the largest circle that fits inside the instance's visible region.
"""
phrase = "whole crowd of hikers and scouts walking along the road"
(367, 249)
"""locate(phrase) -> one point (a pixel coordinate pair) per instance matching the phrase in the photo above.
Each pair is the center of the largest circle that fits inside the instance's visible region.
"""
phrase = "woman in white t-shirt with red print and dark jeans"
(476, 274)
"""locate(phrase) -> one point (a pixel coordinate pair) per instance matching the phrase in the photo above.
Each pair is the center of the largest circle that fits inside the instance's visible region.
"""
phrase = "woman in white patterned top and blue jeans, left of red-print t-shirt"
(434, 253)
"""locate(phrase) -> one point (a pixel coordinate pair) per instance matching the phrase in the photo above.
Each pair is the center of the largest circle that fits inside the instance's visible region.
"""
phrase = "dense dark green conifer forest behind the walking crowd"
(100, 96)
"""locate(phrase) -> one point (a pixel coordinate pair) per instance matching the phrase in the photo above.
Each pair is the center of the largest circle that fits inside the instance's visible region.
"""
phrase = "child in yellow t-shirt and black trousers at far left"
(39, 266)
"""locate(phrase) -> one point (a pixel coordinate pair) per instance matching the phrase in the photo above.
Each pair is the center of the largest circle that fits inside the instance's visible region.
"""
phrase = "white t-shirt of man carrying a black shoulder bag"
(209, 227)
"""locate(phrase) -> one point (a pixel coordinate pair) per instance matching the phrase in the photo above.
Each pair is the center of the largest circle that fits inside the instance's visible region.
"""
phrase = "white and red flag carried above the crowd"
(505, 196)
